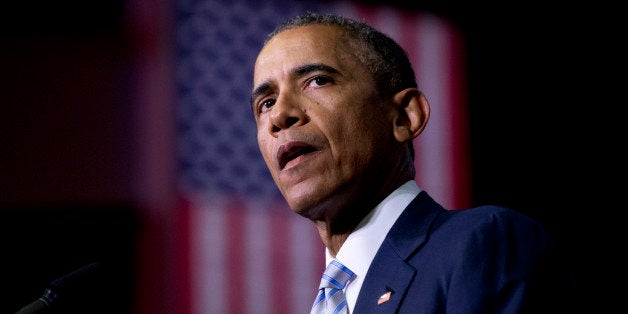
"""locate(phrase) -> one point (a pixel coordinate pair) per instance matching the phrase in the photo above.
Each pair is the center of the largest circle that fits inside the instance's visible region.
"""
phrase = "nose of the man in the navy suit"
(287, 112)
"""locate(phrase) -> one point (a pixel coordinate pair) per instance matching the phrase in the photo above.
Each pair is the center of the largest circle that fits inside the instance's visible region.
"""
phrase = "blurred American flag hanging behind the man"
(246, 251)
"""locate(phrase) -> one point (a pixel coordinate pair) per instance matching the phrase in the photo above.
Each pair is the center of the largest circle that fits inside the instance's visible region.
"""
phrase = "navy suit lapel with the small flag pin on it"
(389, 276)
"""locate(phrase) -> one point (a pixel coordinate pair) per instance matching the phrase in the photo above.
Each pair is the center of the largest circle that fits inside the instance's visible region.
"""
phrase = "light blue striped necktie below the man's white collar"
(331, 297)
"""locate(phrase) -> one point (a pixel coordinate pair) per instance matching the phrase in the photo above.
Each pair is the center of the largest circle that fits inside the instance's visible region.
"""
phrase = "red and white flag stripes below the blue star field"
(277, 245)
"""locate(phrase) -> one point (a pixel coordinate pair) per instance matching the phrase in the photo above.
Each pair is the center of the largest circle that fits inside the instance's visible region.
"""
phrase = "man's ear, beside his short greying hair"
(411, 114)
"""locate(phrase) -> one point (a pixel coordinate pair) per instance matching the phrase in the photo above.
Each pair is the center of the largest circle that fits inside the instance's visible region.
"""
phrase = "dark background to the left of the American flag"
(67, 154)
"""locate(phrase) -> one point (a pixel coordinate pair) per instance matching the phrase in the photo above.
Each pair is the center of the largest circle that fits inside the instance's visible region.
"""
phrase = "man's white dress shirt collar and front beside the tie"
(360, 248)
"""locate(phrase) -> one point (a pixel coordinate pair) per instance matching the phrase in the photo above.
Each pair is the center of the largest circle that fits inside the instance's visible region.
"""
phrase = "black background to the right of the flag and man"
(546, 139)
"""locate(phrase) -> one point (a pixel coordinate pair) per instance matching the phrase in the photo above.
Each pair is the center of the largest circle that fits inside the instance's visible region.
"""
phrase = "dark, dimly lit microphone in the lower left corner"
(60, 288)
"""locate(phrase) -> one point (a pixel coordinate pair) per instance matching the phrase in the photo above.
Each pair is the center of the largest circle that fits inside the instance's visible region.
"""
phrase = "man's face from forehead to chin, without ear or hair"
(321, 127)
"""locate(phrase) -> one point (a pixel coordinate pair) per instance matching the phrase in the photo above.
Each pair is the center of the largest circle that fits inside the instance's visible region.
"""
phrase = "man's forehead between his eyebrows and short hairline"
(304, 44)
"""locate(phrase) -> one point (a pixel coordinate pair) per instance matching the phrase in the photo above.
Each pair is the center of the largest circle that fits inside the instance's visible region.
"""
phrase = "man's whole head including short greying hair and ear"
(336, 106)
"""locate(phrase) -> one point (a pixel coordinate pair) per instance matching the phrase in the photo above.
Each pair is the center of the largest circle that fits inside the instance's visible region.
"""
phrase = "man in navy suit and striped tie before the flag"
(337, 106)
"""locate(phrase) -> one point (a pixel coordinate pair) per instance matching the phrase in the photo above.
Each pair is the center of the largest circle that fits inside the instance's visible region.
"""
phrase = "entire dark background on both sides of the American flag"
(544, 86)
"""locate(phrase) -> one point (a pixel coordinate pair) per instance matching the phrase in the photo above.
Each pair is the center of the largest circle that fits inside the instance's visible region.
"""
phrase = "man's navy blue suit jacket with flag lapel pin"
(486, 259)
